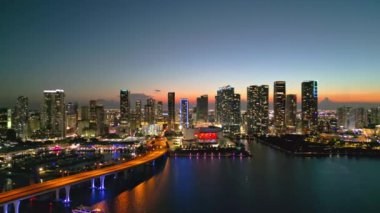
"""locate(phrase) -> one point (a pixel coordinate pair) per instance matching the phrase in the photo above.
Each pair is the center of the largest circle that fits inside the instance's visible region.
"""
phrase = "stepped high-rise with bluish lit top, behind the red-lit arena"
(227, 106)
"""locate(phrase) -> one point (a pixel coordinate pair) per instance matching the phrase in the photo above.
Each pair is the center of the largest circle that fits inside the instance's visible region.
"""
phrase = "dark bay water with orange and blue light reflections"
(270, 181)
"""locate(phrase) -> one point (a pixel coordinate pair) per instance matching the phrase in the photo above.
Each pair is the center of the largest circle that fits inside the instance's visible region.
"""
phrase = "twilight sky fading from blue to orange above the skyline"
(93, 48)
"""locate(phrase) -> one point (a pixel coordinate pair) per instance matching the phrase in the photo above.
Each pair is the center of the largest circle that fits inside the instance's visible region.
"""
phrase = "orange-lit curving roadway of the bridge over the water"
(51, 185)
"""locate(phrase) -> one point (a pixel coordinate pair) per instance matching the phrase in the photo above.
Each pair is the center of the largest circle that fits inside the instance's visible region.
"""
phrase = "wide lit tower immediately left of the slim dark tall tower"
(257, 110)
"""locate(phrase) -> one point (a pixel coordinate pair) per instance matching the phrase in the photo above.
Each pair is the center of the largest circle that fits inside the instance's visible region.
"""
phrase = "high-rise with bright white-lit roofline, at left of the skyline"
(53, 113)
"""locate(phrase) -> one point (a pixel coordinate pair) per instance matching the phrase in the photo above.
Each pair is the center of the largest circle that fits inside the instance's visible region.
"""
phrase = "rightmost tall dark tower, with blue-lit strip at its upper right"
(309, 107)
